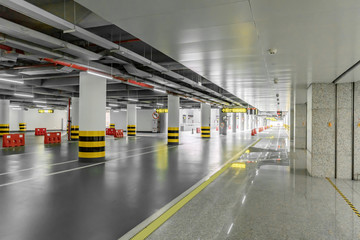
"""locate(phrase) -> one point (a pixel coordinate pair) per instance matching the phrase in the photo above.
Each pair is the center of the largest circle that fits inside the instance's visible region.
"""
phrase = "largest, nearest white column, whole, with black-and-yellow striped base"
(92, 120)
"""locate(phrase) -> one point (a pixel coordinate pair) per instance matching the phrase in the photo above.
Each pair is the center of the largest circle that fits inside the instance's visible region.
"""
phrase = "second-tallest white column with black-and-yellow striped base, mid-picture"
(173, 119)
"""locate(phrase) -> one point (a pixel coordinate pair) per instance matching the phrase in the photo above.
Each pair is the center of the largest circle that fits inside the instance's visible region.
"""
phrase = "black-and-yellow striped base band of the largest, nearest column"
(91, 146)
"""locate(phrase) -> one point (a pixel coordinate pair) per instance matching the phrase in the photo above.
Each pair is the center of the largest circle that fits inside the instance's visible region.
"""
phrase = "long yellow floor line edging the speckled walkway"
(145, 232)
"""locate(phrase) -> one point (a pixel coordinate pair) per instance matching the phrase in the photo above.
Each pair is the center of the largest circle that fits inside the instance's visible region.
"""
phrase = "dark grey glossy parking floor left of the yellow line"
(45, 193)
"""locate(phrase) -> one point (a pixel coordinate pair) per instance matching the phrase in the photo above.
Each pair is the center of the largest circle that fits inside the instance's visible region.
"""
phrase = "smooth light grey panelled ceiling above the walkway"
(227, 41)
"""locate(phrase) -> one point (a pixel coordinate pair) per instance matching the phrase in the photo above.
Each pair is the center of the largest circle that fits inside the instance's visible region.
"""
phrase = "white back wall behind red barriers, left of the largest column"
(33, 119)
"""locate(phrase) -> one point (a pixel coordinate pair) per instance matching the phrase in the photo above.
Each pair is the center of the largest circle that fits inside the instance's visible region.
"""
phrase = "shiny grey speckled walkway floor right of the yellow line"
(270, 197)
